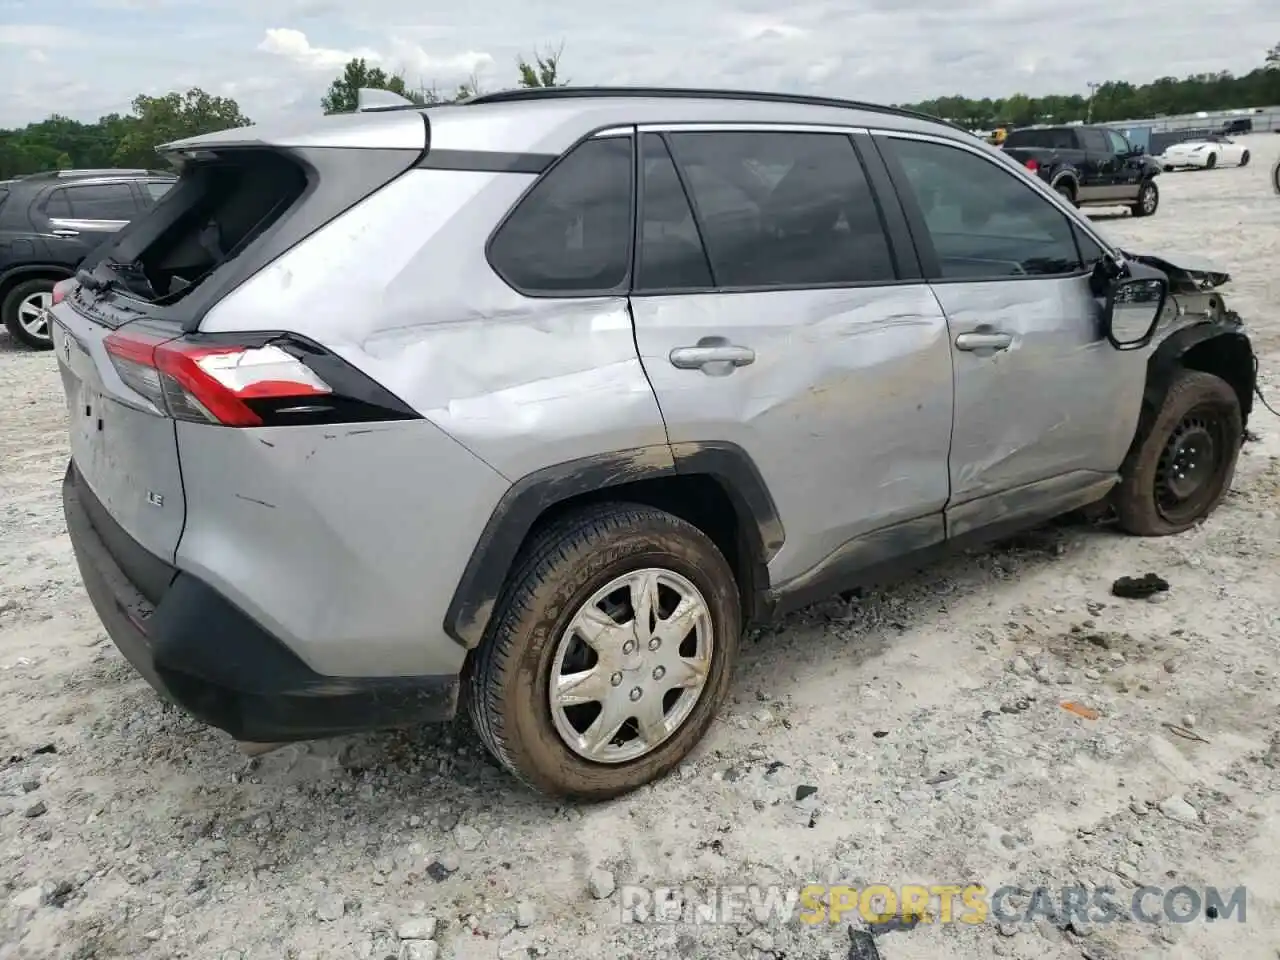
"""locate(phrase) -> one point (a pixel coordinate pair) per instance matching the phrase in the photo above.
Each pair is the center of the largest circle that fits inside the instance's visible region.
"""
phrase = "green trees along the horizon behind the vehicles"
(130, 140)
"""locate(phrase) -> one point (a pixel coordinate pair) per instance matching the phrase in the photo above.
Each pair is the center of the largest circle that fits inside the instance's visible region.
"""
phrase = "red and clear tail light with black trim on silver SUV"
(266, 383)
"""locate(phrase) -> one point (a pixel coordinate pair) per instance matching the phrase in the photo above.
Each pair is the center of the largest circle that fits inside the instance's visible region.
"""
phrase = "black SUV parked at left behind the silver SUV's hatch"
(49, 222)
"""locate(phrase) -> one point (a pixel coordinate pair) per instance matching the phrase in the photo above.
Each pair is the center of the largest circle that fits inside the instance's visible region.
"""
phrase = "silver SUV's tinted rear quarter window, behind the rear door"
(573, 231)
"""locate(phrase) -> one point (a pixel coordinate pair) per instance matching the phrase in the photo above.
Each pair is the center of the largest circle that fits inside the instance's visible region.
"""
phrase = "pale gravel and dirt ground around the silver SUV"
(927, 717)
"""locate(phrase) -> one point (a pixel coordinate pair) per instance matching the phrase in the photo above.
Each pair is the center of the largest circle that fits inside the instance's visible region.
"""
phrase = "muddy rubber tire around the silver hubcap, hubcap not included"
(561, 570)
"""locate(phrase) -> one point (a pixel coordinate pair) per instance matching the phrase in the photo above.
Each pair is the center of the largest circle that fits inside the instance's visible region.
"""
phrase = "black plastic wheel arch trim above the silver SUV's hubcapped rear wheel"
(531, 499)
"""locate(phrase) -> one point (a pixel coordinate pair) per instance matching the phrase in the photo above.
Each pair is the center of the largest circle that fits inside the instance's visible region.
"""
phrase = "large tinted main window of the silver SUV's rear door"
(784, 209)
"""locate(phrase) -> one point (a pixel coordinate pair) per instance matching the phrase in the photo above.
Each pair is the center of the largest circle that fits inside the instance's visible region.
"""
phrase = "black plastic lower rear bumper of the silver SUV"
(208, 657)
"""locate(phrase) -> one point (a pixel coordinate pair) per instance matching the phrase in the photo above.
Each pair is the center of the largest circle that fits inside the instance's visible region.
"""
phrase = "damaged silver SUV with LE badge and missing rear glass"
(538, 401)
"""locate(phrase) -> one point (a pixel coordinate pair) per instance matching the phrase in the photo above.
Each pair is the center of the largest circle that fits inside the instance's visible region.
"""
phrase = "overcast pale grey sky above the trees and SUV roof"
(85, 58)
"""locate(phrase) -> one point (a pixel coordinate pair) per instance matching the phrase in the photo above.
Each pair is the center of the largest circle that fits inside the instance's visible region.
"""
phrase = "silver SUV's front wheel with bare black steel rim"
(1182, 468)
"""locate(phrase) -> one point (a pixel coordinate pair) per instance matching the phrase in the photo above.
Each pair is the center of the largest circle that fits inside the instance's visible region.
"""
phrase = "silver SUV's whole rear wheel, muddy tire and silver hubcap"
(610, 653)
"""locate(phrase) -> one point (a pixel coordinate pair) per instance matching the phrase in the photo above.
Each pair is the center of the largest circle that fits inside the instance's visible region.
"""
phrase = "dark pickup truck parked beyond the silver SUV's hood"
(1089, 166)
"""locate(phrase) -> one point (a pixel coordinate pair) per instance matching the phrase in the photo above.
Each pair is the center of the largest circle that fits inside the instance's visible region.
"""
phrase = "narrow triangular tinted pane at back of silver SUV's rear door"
(671, 249)
